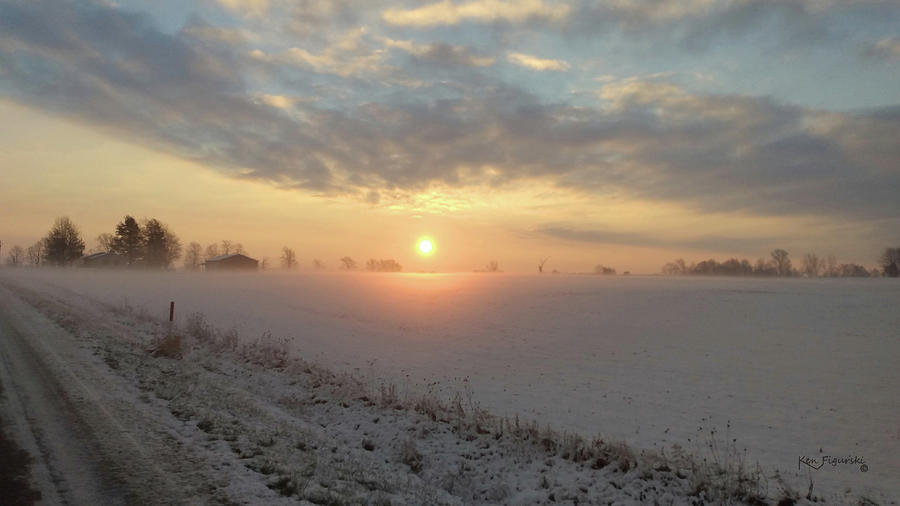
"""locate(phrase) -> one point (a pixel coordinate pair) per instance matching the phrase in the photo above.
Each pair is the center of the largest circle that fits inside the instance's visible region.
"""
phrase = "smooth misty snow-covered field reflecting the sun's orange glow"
(788, 368)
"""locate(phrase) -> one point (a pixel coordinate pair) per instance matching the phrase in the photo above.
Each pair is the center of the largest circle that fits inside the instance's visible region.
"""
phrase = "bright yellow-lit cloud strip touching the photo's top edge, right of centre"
(450, 13)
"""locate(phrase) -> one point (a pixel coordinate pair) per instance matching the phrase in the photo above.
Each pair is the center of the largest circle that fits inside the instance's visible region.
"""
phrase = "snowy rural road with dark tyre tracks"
(79, 426)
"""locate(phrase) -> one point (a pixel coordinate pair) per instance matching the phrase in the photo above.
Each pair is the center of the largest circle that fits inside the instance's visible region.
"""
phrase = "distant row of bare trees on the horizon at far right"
(779, 264)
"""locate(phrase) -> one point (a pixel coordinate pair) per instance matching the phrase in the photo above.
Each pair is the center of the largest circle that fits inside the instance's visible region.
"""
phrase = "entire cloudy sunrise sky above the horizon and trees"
(621, 132)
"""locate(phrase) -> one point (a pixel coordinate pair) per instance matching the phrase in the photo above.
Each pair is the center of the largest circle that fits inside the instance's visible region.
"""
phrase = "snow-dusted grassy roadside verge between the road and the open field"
(252, 425)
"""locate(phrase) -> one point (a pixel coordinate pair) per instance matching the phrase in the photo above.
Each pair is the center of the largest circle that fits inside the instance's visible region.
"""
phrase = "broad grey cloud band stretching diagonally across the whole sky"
(645, 137)
